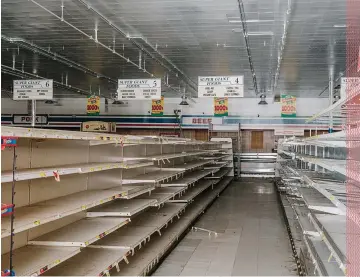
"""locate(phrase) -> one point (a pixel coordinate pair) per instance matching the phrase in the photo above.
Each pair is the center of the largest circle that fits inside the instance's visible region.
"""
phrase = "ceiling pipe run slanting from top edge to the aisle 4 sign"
(115, 27)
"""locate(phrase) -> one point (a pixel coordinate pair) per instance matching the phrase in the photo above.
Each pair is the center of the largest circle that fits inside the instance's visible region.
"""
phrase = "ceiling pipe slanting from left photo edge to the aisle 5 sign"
(54, 56)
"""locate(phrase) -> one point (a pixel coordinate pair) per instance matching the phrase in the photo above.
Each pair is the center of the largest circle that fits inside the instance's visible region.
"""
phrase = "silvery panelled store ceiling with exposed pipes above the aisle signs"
(294, 45)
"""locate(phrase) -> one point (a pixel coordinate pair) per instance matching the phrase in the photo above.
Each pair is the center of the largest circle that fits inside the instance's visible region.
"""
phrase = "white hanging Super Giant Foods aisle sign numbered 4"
(221, 86)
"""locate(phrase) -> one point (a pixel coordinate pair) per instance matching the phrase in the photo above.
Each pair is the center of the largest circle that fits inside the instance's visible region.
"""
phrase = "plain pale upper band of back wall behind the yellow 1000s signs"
(199, 106)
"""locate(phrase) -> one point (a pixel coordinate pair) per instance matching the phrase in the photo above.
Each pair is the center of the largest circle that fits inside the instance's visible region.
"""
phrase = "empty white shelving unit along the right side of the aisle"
(330, 184)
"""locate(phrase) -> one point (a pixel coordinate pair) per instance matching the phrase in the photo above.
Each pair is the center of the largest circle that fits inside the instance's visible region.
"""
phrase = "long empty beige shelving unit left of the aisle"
(85, 201)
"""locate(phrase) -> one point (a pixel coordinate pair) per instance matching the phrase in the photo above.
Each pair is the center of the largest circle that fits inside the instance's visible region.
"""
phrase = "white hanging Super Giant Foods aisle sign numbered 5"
(135, 89)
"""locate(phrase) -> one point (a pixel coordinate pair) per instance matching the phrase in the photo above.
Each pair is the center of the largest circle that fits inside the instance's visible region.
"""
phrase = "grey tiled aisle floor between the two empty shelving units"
(251, 237)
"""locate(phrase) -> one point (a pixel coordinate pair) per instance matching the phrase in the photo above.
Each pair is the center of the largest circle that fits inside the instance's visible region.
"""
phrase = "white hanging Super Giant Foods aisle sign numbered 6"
(33, 89)
